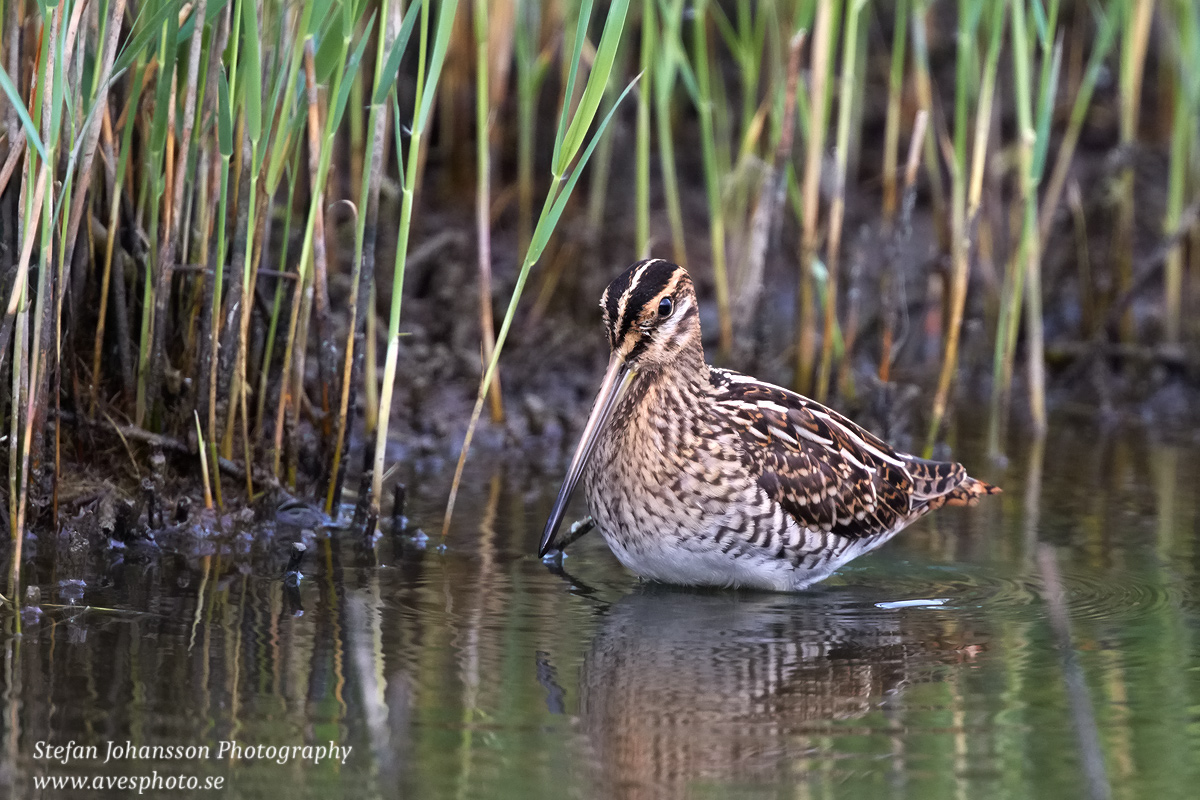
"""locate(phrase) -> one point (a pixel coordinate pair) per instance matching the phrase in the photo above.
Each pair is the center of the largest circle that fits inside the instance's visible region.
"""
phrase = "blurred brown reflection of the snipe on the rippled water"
(683, 690)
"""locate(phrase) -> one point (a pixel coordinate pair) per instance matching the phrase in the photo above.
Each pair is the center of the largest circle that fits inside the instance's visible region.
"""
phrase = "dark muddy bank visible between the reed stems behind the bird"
(556, 356)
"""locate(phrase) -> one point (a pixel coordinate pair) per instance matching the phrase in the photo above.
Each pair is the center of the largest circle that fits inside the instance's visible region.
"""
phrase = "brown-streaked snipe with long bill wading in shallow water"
(703, 477)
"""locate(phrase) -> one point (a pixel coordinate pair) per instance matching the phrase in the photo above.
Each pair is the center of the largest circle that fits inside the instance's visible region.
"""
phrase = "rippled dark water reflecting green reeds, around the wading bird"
(928, 670)
